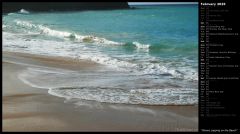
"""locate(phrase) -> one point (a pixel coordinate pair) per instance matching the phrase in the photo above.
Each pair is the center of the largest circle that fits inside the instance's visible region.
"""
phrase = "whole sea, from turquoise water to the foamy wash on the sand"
(149, 54)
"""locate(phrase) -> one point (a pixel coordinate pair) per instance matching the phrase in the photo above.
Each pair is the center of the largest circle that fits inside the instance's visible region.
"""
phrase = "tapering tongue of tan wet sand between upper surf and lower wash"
(50, 61)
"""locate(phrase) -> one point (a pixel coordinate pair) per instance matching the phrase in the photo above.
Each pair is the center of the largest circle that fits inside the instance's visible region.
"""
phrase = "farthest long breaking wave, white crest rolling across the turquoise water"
(71, 36)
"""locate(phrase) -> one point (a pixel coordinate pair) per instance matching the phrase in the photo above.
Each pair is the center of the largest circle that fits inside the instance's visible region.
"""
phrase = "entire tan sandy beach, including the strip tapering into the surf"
(26, 108)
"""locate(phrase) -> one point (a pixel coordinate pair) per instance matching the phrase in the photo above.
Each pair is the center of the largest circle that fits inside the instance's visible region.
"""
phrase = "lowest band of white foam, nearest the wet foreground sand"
(167, 96)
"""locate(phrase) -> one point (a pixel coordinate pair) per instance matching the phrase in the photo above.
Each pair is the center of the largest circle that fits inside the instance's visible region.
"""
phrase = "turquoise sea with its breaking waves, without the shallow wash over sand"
(157, 43)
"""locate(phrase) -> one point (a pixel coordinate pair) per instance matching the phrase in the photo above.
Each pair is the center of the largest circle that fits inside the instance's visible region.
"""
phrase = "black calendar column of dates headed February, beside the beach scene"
(218, 61)
